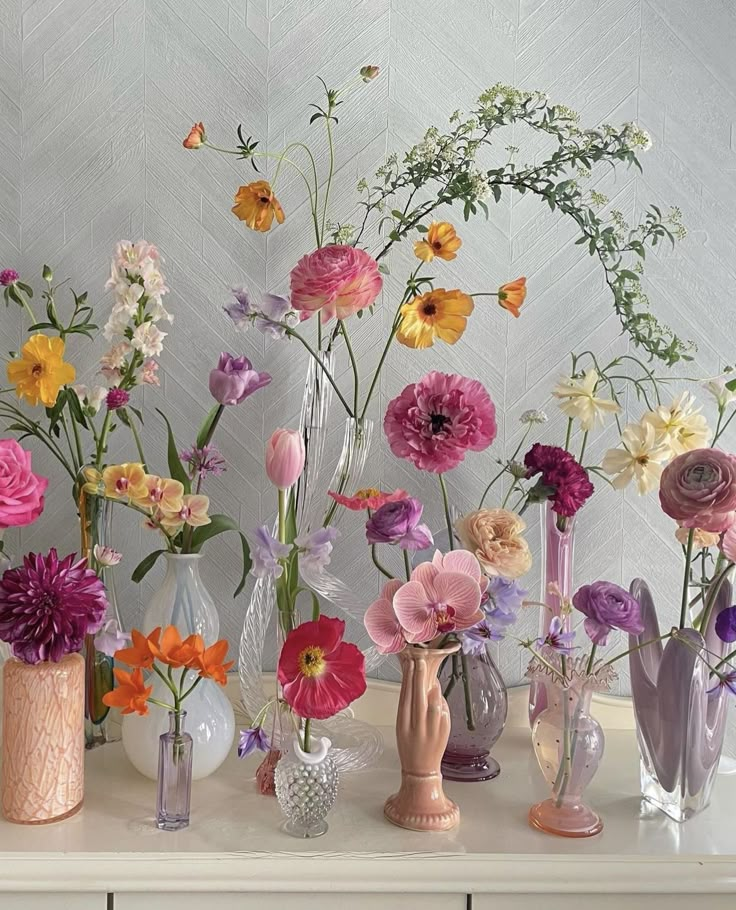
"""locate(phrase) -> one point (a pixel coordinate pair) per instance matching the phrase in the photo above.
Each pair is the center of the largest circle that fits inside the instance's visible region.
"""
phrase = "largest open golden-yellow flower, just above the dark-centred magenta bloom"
(437, 314)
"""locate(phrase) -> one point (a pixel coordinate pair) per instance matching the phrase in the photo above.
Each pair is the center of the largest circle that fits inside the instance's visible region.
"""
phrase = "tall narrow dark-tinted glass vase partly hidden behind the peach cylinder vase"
(96, 525)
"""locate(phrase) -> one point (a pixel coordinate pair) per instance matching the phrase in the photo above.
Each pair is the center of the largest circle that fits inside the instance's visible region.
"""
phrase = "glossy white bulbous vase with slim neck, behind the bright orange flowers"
(183, 601)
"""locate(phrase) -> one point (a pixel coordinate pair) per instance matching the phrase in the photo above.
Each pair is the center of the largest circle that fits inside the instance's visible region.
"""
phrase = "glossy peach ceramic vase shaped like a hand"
(422, 732)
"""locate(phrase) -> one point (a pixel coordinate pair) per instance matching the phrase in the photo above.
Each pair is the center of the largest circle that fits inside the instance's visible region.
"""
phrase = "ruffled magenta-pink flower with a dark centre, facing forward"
(435, 421)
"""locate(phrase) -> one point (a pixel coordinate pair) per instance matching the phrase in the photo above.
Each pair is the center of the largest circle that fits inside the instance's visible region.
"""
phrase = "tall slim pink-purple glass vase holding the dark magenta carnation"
(557, 565)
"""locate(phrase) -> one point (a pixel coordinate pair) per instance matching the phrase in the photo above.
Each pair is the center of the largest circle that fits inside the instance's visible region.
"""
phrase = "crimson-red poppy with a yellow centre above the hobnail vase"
(319, 672)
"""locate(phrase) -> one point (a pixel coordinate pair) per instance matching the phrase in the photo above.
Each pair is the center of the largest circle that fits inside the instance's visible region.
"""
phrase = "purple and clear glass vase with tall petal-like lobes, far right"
(680, 725)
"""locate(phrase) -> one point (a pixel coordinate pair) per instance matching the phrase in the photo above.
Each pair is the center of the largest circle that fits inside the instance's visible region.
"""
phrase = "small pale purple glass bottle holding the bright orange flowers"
(174, 782)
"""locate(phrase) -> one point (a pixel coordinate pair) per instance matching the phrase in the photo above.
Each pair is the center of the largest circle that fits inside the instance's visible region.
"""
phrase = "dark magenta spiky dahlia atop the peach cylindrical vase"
(48, 605)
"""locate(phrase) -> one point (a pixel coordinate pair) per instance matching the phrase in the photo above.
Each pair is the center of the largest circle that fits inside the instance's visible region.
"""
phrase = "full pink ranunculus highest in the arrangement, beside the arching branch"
(338, 280)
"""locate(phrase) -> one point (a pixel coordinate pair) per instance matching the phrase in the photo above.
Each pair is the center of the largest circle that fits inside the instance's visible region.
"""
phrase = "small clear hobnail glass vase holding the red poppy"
(306, 787)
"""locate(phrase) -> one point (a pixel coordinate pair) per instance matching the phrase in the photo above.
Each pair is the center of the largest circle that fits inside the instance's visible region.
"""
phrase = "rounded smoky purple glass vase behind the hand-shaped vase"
(477, 718)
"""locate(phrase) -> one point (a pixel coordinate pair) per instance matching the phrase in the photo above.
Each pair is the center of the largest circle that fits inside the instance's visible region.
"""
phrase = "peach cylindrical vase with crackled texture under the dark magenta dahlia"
(43, 740)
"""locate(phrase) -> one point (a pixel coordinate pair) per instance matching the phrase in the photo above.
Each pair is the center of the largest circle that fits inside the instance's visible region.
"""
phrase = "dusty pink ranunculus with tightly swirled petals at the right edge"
(698, 489)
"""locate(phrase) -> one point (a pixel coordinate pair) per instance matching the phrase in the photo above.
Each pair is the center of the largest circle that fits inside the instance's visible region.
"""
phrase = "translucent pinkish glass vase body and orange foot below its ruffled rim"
(568, 743)
